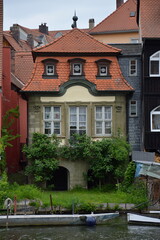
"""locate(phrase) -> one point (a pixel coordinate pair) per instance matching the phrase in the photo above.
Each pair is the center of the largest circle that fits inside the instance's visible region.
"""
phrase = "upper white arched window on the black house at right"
(155, 64)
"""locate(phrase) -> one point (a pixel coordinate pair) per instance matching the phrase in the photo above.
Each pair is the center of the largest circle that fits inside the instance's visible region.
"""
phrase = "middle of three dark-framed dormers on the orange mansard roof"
(76, 68)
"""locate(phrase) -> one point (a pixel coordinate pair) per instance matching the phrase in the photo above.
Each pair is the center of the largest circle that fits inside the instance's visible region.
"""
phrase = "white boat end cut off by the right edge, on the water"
(142, 220)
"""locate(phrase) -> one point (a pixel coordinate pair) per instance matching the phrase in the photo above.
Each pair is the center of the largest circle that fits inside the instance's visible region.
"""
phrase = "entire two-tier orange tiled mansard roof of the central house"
(81, 44)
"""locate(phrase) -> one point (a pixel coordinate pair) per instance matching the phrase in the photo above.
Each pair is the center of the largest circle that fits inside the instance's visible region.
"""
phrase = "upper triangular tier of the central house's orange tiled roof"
(77, 41)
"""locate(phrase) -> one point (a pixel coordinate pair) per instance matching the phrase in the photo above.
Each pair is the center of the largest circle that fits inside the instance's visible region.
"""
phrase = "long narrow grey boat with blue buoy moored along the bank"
(56, 219)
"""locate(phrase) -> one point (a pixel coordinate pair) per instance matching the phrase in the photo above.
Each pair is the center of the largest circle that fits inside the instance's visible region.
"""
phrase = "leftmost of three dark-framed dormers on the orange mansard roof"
(50, 70)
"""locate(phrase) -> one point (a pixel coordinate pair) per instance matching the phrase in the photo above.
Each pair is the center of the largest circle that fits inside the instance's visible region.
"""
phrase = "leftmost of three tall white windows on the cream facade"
(52, 120)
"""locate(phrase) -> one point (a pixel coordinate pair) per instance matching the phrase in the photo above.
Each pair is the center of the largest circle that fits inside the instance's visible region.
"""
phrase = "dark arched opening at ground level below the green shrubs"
(60, 180)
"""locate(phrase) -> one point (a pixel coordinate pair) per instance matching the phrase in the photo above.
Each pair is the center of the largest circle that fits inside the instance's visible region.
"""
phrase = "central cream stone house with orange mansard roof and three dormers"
(76, 87)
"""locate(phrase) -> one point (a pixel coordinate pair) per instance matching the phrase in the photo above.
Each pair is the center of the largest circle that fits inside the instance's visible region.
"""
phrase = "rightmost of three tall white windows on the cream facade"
(103, 120)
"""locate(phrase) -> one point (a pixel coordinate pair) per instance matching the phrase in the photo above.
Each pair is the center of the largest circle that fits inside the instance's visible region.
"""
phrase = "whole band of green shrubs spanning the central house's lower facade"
(106, 157)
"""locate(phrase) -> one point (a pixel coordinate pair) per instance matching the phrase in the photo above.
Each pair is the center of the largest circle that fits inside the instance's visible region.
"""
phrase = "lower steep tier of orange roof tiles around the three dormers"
(38, 84)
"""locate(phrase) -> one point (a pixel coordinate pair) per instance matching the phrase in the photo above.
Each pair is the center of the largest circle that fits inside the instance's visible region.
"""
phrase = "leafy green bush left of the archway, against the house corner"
(43, 157)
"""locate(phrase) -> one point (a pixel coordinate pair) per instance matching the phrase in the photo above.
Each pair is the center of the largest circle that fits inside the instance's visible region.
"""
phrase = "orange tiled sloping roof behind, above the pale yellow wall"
(120, 20)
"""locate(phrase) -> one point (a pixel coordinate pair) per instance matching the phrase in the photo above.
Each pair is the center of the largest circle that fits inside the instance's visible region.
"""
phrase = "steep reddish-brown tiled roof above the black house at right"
(149, 11)
